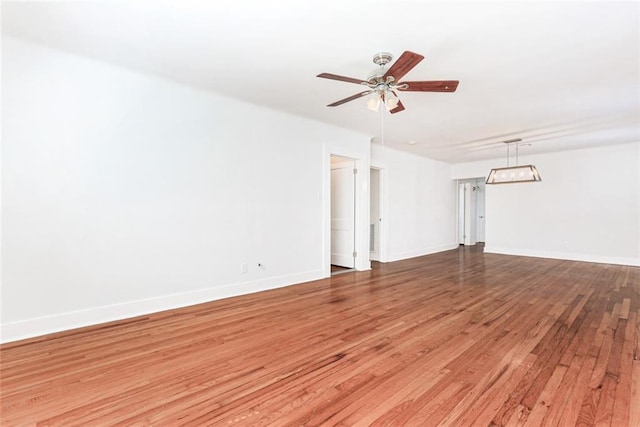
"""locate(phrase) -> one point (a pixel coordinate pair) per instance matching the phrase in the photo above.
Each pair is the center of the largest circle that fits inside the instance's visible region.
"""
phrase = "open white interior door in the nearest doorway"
(343, 214)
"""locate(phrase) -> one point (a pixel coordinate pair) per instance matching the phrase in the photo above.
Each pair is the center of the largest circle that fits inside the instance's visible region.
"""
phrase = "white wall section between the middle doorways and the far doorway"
(421, 205)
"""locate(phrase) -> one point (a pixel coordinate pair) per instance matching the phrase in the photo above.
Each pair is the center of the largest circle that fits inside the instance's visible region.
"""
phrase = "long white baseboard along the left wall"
(34, 327)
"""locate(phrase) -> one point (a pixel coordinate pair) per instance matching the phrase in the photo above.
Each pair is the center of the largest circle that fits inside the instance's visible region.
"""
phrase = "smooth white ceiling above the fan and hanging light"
(560, 75)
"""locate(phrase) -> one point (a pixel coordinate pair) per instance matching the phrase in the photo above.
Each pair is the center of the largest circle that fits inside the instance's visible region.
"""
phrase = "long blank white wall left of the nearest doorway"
(125, 194)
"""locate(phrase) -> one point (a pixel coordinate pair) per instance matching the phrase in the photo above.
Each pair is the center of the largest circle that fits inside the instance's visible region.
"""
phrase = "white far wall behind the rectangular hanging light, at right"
(586, 208)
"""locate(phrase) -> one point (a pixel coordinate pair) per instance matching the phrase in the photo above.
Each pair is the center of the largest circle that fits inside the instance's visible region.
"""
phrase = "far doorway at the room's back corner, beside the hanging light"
(471, 211)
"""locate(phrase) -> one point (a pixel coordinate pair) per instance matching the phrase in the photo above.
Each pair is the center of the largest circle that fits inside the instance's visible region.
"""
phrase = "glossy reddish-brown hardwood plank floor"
(457, 338)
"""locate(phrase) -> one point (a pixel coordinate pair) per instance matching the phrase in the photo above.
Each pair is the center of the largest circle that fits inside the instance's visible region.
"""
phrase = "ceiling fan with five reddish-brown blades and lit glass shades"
(384, 85)
